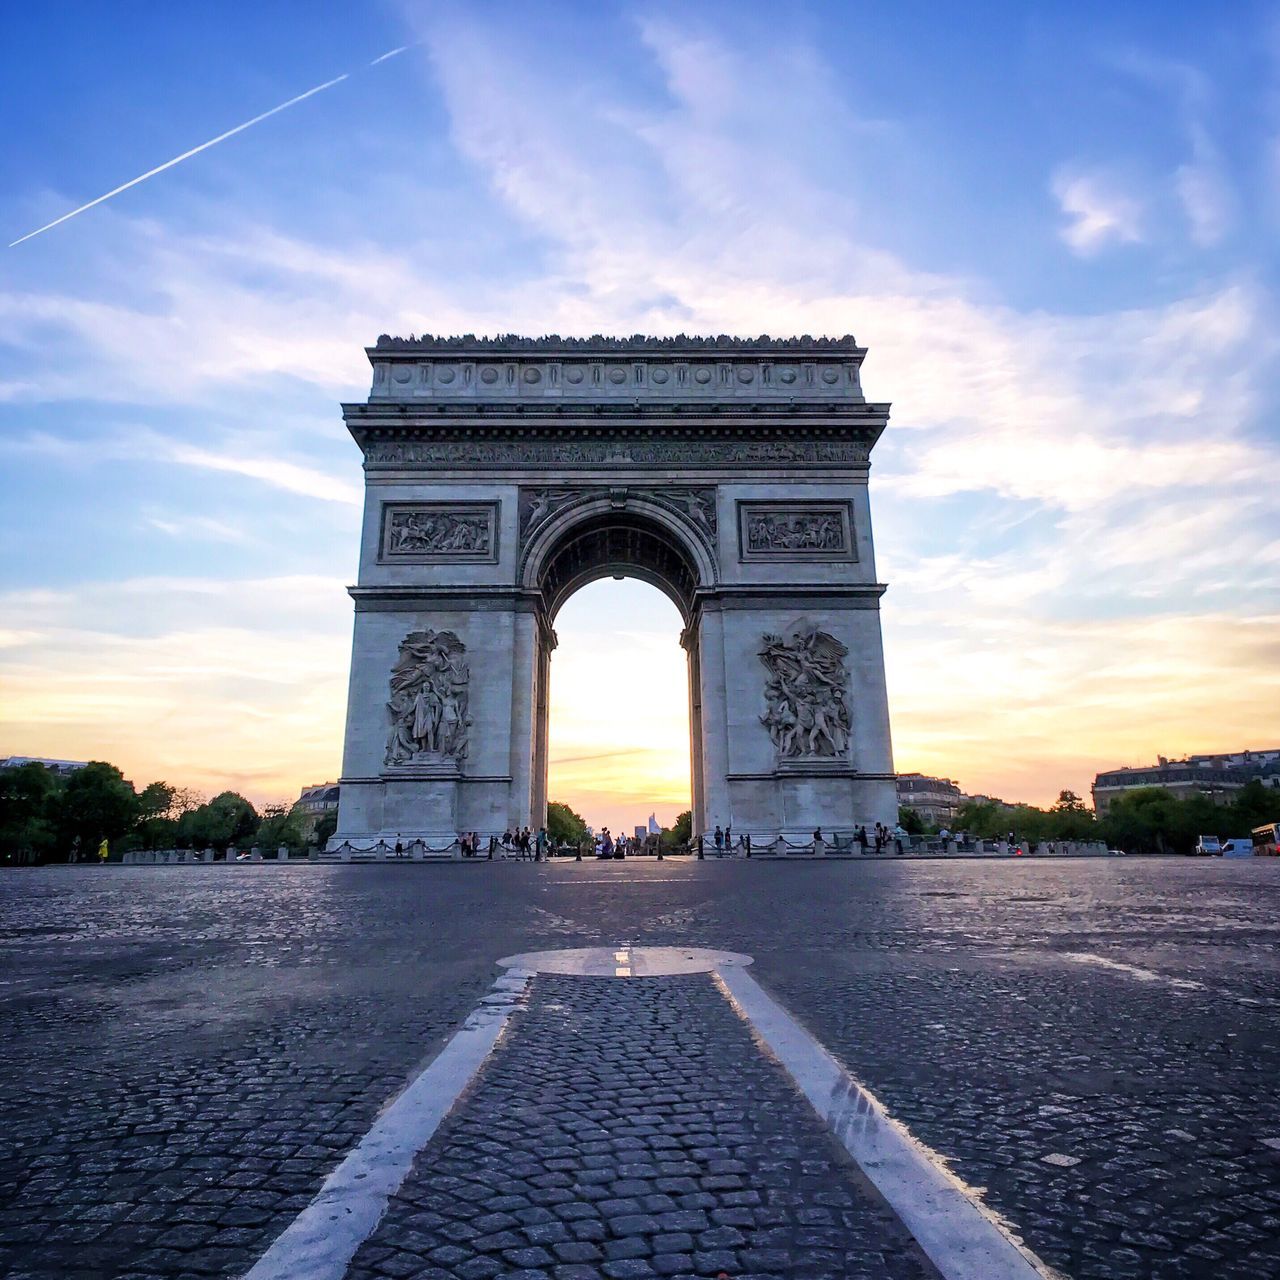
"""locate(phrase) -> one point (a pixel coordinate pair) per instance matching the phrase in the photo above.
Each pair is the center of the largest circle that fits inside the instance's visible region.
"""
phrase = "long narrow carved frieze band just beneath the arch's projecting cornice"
(541, 455)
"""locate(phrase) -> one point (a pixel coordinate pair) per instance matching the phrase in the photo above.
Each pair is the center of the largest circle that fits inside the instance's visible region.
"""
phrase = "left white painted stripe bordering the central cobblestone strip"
(322, 1241)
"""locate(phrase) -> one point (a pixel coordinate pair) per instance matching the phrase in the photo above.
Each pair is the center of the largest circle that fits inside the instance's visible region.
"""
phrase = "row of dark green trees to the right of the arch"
(1144, 821)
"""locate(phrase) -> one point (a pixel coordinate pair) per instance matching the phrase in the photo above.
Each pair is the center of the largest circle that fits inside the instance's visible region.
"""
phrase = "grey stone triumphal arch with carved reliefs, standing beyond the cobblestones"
(502, 474)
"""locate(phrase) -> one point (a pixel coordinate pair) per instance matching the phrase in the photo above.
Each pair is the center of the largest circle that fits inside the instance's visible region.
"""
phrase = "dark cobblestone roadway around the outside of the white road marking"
(189, 1052)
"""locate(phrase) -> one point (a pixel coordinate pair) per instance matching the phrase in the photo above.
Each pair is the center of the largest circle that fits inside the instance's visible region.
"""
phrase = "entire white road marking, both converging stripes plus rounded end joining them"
(963, 1238)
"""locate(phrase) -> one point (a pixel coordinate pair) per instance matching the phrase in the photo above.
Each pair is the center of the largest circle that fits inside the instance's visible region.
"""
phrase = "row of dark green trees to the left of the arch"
(49, 817)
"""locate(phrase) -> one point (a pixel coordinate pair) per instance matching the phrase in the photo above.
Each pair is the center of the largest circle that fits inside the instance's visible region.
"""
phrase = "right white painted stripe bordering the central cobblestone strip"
(964, 1240)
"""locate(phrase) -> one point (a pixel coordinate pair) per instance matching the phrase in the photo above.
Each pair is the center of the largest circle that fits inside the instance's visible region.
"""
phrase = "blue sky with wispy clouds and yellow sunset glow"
(1054, 227)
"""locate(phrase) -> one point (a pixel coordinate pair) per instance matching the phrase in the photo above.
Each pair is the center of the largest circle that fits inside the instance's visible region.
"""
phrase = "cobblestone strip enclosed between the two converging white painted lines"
(634, 1130)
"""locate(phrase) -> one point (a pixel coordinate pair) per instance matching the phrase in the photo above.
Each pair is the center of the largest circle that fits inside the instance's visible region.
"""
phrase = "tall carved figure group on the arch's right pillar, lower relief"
(807, 705)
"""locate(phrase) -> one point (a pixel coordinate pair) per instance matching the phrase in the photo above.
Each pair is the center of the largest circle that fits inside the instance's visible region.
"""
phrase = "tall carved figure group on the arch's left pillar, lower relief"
(429, 696)
